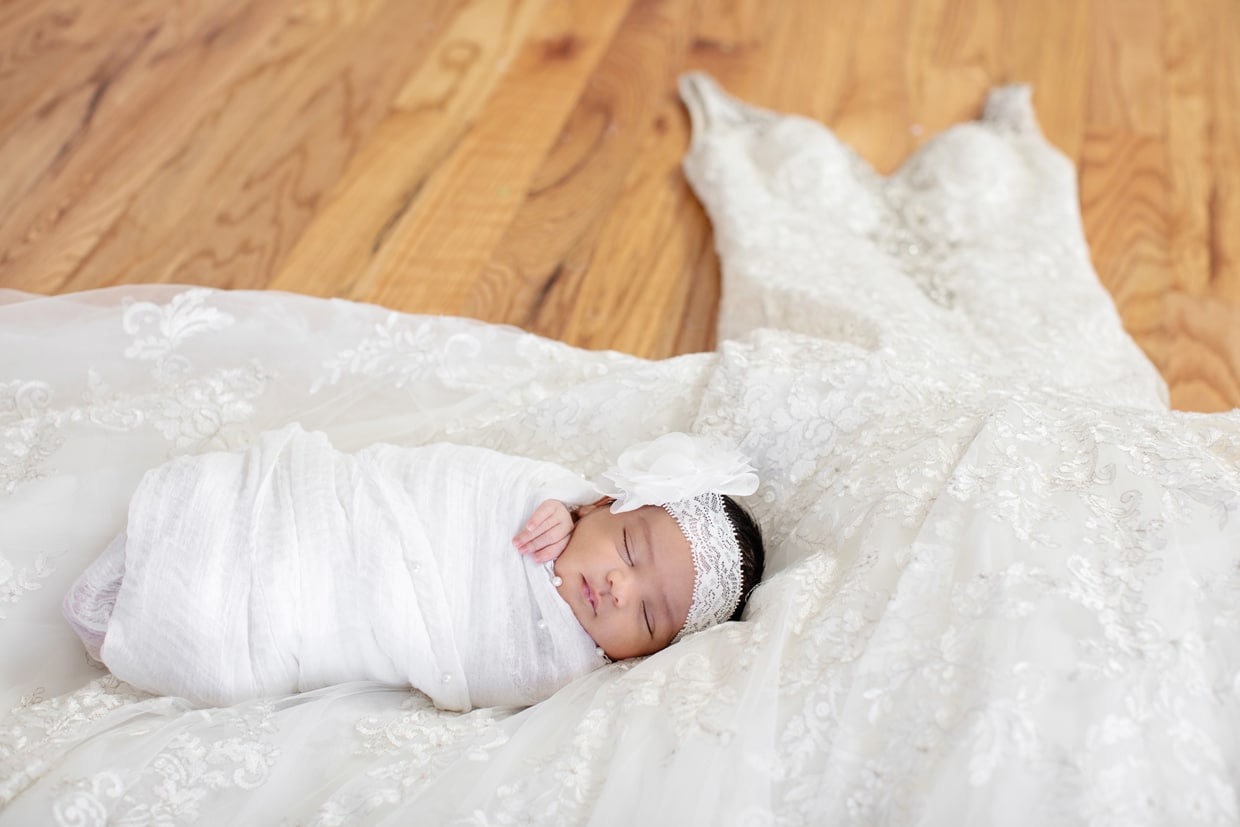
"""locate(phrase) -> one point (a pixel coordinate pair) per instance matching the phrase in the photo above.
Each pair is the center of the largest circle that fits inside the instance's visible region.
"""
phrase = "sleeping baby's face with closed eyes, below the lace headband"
(629, 580)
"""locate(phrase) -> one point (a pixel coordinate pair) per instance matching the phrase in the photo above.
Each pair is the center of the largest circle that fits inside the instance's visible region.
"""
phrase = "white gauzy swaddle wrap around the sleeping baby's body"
(293, 566)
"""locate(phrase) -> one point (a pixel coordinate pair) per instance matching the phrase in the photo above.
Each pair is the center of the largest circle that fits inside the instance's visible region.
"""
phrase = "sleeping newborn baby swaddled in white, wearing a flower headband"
(293, 566)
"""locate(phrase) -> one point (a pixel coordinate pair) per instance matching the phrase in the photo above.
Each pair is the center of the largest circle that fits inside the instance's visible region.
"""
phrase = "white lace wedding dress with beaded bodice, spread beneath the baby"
(1004, 581)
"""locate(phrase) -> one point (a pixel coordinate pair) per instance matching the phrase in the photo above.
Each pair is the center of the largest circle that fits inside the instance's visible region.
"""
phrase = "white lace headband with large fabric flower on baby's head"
(688, 477)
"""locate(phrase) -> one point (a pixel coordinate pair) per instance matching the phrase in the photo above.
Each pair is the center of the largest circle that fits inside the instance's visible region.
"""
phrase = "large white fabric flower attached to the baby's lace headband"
(678, 467)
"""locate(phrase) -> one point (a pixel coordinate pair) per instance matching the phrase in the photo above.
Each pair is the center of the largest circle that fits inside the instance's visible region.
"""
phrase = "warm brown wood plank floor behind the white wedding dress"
(518, 161)
